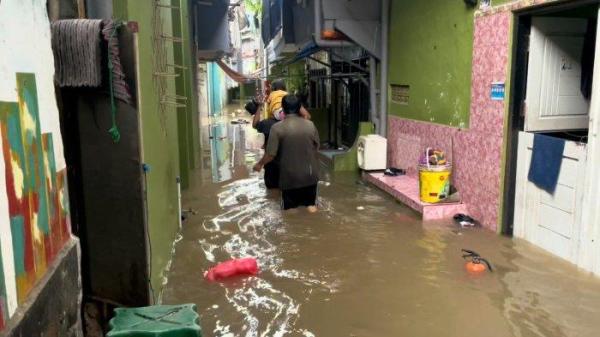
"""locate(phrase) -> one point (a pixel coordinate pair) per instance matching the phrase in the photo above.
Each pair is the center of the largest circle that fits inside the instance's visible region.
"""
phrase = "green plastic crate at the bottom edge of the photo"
(156, 321)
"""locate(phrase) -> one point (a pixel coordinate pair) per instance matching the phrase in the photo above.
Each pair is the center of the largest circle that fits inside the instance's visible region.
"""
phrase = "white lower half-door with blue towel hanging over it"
(551, 221)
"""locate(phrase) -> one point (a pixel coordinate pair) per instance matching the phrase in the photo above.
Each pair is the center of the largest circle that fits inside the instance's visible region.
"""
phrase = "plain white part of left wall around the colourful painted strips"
(25, 46)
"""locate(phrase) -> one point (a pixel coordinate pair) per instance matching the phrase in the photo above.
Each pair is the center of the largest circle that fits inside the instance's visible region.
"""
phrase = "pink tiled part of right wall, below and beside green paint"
(475, 152)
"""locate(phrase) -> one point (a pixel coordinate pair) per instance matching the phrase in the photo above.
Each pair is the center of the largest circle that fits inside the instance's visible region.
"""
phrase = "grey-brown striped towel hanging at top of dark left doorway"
(77, 52)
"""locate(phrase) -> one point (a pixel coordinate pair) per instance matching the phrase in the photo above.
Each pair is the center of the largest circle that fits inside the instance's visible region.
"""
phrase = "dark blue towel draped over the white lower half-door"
(546, 160)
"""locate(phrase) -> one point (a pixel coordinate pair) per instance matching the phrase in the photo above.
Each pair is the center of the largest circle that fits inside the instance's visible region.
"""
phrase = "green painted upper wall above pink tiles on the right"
(431, 44)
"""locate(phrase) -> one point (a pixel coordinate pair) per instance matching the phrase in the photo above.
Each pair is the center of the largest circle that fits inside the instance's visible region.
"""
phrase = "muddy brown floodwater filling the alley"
(364, 265)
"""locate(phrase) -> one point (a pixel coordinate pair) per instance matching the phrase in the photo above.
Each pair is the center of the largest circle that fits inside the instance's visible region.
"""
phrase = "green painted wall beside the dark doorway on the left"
(159, 130)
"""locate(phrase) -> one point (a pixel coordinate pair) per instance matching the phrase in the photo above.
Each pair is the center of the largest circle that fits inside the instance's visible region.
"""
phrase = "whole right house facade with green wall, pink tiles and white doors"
(462, 78)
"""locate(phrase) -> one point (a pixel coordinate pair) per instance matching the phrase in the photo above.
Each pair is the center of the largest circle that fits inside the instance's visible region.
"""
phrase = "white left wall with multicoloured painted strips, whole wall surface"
(34, 211)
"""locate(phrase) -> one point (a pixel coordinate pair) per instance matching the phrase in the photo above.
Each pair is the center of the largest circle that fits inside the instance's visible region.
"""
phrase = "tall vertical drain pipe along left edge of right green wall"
(383, 88)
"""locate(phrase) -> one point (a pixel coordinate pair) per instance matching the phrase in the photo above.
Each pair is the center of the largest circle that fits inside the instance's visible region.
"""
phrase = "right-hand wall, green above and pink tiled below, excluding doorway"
(474, 138)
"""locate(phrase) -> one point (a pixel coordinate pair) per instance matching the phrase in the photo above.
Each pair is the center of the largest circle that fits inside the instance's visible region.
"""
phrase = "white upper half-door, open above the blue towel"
(554, 100)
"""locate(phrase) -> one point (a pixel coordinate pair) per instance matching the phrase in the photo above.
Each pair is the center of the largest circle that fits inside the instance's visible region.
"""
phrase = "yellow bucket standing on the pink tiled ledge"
(434, 182)
